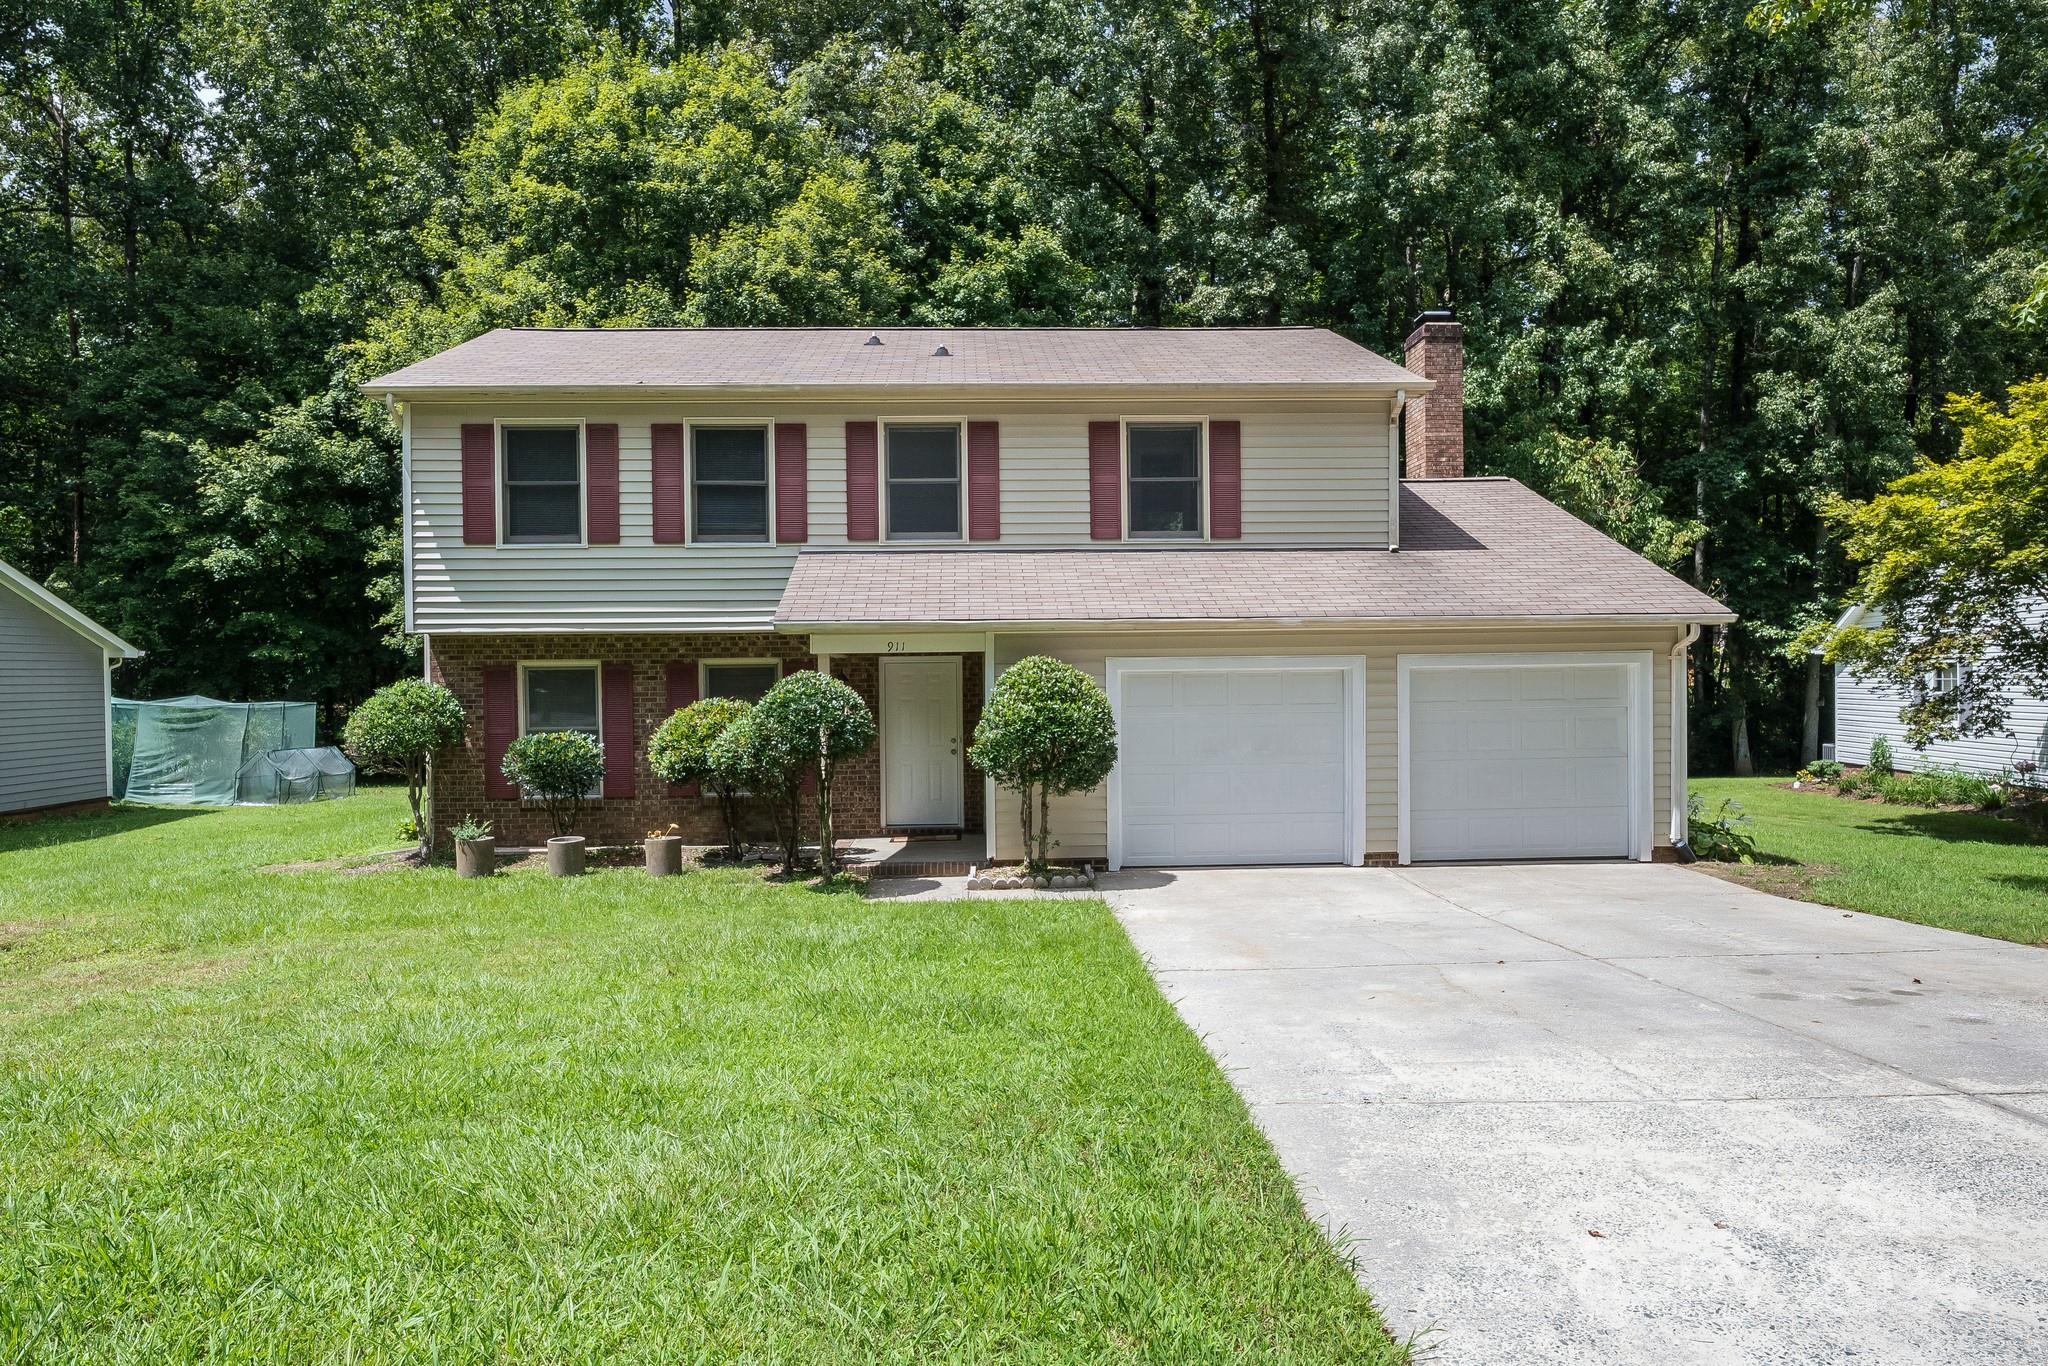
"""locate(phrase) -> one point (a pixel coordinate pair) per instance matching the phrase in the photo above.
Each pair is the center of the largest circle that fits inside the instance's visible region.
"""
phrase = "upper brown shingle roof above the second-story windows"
(841, 357)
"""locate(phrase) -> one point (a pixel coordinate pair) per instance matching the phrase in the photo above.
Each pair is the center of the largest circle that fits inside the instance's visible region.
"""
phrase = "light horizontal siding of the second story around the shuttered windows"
(1314, 474)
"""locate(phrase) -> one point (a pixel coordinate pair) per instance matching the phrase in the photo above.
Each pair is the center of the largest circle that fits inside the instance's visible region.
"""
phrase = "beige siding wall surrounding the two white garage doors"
(1082, 822)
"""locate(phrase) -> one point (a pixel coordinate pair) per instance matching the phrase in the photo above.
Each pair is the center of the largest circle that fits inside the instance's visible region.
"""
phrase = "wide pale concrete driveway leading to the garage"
(1617, 1113)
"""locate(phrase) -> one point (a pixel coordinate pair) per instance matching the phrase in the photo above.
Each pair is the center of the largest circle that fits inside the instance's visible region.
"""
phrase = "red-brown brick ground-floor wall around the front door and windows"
(458, 781)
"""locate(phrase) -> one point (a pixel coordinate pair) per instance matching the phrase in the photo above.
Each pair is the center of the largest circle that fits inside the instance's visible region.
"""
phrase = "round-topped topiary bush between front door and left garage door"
(1046, 732)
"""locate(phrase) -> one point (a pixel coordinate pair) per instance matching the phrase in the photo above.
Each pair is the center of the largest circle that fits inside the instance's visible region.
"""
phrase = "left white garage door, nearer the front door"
(1232, 765)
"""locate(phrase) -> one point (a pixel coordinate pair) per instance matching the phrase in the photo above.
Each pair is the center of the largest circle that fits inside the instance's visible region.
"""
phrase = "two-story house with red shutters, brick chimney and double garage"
(1312, 658)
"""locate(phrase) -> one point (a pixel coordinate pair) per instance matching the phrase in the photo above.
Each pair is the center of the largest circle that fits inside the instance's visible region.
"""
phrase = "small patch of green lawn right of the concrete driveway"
(1951, 869)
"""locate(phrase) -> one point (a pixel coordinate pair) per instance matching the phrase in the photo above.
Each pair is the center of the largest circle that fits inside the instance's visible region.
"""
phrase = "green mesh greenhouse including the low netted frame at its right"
(204, 753)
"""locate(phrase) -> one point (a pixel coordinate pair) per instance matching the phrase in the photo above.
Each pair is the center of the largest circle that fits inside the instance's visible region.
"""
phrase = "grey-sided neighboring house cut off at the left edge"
(56, 732)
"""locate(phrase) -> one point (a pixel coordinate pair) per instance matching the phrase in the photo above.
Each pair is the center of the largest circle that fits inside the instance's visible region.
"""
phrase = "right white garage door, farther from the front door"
(1521, 763)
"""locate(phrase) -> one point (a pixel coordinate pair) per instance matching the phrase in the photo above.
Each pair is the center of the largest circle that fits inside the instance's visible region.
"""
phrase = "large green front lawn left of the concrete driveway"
(321, 1115)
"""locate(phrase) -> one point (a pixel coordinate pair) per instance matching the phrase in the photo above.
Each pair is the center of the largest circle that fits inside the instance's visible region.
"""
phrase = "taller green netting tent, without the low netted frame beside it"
(191, 751)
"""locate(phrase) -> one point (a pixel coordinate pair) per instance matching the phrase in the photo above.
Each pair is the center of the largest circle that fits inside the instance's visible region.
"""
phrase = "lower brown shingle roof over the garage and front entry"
(1469, 550)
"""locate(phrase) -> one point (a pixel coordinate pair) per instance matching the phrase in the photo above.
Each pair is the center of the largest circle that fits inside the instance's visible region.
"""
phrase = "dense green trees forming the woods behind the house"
(1719, 263)
